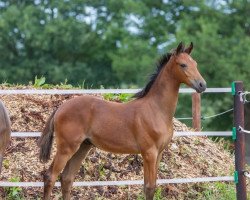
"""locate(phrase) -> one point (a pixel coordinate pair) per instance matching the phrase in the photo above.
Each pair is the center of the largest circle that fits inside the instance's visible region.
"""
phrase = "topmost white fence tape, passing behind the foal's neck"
(100, 91)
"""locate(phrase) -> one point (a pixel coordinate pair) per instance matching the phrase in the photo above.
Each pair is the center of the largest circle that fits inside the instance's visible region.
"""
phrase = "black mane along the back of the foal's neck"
(161, 63)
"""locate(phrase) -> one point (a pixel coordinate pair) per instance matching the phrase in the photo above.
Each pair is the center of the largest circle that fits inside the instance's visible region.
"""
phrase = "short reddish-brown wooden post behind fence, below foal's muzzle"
(196, 111)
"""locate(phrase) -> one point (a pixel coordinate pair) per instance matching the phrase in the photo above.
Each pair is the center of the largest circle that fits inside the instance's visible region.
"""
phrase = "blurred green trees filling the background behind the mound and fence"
(116, 43)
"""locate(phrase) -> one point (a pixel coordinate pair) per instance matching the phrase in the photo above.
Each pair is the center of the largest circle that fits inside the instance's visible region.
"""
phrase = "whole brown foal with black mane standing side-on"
(129, 128)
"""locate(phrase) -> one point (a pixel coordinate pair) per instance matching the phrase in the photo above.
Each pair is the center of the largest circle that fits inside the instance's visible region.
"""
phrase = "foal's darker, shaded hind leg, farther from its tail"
(72, 167)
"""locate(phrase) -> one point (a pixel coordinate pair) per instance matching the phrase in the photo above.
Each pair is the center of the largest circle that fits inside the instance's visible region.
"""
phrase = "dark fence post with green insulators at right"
(239, 142)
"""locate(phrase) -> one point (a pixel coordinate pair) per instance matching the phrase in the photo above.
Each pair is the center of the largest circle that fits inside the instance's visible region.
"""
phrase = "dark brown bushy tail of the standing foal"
(46, 140)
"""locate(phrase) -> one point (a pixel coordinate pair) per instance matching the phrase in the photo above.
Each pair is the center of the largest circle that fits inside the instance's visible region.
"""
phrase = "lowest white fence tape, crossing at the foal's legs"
(119, 183)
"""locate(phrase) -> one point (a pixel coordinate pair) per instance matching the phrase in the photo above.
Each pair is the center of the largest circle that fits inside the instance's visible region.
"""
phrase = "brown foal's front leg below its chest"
(150, 173)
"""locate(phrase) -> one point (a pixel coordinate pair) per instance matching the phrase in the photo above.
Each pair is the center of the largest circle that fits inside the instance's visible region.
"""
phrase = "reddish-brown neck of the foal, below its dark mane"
(164, 92)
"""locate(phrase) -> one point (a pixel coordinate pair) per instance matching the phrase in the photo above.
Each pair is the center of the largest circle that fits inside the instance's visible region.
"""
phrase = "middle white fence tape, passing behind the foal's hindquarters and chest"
(176, 134)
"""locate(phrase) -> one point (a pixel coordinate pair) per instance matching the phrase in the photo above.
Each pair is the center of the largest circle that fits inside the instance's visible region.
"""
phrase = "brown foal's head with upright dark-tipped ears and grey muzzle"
(185, 68)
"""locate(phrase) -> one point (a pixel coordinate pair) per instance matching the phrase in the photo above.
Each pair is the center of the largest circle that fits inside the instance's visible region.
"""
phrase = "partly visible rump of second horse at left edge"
(5, 131)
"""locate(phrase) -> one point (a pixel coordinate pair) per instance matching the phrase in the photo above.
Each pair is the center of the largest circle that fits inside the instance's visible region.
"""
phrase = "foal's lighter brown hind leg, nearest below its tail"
(64, 152)
